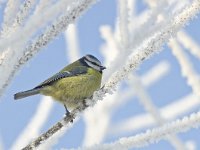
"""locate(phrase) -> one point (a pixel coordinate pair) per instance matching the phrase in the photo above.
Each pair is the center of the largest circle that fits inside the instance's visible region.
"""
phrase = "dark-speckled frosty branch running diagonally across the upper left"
(50, 33)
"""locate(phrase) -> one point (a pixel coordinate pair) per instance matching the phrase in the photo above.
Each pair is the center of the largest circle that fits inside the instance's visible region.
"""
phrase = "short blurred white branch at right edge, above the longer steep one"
(189, 43)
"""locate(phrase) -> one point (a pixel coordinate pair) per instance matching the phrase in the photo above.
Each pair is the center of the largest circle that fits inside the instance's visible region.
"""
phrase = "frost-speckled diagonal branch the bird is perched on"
(148, 49)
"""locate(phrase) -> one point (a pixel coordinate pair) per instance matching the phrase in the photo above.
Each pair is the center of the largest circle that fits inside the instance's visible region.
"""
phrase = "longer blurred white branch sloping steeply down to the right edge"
(186, 67)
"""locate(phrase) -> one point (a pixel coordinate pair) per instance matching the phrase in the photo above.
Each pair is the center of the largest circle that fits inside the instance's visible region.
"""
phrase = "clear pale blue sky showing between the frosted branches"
(14, 115)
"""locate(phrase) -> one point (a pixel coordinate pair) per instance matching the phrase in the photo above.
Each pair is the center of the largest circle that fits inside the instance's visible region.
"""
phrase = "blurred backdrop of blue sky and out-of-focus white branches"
(162, 89)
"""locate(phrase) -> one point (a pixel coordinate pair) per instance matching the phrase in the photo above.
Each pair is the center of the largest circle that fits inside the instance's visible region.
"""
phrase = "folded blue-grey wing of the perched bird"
(74, 72)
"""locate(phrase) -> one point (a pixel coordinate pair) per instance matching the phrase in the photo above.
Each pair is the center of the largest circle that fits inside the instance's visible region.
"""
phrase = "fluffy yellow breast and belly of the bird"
(71, 90)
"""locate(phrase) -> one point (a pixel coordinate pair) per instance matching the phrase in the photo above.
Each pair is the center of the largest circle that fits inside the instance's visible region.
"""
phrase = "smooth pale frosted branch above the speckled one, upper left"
(35, 22)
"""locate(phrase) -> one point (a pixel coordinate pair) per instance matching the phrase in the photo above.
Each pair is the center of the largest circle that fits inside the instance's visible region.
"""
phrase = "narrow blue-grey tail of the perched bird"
(26, 93)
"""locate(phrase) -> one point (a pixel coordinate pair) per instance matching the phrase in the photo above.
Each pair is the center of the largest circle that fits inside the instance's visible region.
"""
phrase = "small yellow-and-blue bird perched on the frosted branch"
(72, 84)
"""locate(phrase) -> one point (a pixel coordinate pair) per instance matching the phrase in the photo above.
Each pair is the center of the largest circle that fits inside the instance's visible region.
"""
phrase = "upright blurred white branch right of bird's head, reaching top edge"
(122, 40)
